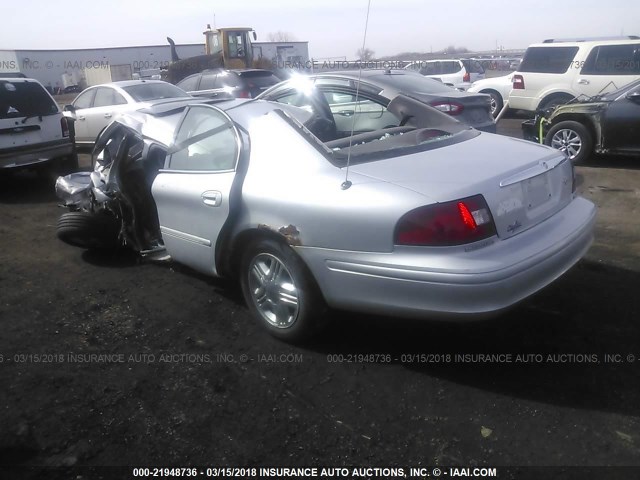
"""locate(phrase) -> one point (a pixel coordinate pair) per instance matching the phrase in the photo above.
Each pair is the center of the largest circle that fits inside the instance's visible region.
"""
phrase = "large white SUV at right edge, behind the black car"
(554, 72)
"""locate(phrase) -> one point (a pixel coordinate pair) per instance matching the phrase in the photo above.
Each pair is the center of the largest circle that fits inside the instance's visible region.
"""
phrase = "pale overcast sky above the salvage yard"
(333, 28)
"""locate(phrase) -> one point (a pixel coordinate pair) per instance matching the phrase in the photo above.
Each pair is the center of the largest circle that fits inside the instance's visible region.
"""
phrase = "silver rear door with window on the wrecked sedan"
(192, 192)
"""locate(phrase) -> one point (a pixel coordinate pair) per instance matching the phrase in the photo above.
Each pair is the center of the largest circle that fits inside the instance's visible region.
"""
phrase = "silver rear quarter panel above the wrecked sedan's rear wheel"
(290, 182)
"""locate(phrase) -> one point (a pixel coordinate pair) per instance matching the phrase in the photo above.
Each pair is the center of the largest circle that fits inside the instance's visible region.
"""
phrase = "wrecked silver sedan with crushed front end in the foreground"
(427, 218)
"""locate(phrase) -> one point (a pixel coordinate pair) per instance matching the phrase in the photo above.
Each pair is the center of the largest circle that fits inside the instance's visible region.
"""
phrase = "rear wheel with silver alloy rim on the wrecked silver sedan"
(280, 291)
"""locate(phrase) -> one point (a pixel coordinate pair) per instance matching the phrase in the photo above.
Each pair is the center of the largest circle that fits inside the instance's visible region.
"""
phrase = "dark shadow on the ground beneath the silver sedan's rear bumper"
(577, 341)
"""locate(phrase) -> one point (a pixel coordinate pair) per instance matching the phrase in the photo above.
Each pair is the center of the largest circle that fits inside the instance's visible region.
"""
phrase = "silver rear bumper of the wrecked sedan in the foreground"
(421, 282)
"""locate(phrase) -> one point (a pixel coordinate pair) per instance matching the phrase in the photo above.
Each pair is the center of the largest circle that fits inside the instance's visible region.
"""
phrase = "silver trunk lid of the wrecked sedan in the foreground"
(523, 183)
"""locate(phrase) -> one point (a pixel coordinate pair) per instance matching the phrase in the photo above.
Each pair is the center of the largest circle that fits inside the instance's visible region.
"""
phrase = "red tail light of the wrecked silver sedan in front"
(444, 224)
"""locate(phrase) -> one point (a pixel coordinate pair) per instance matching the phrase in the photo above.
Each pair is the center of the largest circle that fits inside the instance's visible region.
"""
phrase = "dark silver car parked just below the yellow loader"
(219, 83)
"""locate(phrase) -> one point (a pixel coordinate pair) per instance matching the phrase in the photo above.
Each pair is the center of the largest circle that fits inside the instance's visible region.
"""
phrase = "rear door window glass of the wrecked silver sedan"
(206, 141)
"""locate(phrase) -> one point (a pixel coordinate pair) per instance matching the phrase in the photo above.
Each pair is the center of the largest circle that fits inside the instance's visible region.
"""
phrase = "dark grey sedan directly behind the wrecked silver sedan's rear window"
(333, 96)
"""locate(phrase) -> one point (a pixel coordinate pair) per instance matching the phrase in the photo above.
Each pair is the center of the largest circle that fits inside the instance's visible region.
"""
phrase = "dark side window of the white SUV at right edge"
(613, 60)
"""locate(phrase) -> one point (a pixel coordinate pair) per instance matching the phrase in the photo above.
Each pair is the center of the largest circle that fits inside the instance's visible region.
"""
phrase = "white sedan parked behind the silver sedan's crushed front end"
(97, 106)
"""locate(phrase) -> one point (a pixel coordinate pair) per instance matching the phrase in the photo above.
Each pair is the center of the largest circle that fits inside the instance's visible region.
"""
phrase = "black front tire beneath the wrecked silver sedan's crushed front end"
(88, 230)
